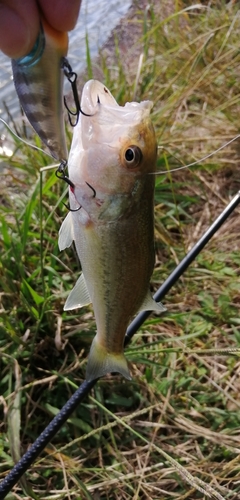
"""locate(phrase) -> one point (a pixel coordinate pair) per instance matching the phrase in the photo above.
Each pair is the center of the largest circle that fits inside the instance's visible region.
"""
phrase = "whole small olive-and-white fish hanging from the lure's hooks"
(111, 219)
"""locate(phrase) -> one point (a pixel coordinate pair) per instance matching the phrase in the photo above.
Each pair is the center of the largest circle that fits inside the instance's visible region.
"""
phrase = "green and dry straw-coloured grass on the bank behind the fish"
(183, 401)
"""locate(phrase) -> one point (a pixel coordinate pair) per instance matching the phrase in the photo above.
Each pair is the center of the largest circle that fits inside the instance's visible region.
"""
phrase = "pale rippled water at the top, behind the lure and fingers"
(98, 22)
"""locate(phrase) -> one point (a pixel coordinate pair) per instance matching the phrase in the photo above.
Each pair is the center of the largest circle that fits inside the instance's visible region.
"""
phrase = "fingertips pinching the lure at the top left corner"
(20, 22)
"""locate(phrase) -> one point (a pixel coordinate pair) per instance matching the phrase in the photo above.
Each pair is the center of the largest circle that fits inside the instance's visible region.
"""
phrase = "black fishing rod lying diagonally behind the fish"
(49, 432)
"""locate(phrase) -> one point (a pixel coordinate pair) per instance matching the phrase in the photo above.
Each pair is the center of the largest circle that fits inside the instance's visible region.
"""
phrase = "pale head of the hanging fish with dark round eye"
(111, 137)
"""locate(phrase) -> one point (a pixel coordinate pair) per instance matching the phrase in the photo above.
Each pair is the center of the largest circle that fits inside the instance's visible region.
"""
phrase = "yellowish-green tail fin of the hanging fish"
(101, 362)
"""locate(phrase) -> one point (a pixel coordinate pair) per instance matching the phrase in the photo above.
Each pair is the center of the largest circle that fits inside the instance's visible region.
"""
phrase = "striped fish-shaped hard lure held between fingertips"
(38, 78)
